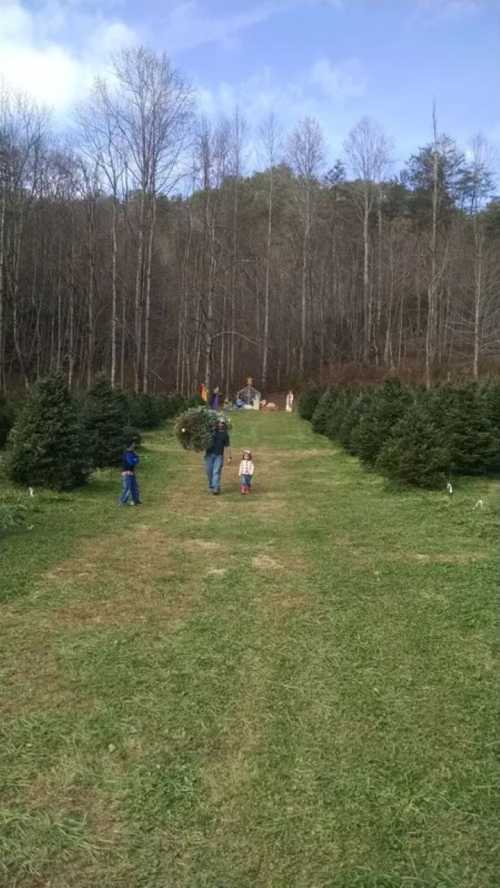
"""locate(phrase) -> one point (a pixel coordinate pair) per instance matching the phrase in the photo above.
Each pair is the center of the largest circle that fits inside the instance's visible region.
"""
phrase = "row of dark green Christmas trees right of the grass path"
(412, 434)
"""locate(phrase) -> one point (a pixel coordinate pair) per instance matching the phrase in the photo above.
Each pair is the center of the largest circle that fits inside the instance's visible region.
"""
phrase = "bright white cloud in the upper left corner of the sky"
(54, 52)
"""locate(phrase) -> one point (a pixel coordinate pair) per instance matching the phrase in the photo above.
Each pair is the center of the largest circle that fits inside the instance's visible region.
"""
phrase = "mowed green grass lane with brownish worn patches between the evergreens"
(290, 689)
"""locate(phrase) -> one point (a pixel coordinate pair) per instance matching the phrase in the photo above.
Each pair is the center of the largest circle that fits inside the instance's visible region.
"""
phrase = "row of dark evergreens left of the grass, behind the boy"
(56, 440)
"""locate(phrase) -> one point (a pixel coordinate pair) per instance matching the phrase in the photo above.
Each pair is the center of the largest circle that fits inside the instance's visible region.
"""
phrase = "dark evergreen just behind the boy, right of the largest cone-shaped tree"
(104, 419)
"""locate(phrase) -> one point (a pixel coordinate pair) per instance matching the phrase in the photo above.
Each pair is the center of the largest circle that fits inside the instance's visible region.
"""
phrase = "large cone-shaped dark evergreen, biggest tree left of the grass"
(47, 440)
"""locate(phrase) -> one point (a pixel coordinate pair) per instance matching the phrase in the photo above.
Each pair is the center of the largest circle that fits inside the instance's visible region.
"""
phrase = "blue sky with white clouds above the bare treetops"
(335, 59)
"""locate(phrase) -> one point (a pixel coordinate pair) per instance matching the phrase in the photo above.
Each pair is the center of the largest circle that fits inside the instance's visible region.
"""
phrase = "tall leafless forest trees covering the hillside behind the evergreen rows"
(146, 244)
